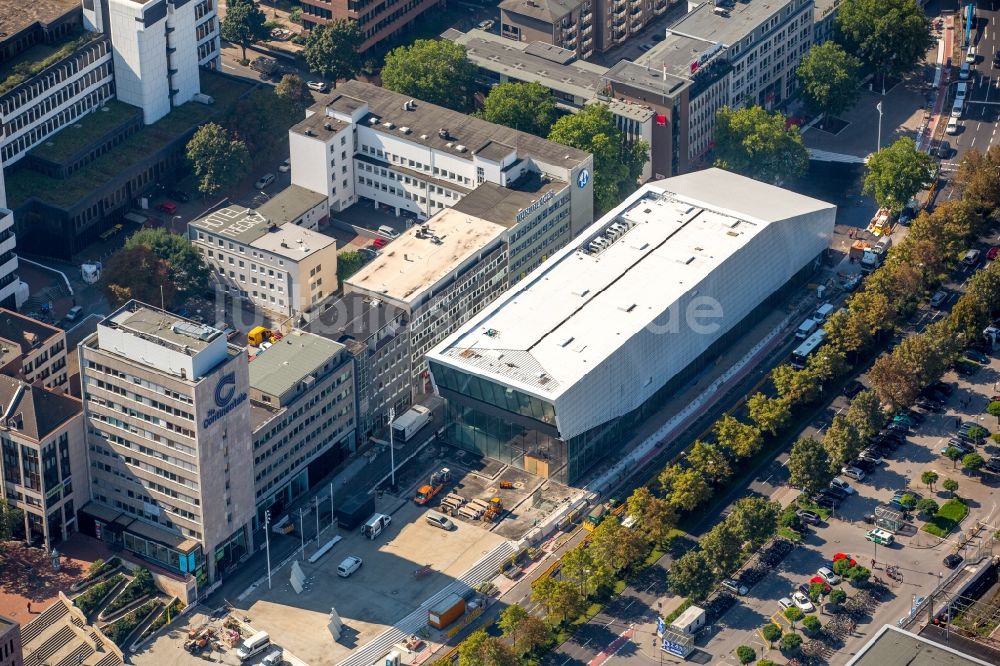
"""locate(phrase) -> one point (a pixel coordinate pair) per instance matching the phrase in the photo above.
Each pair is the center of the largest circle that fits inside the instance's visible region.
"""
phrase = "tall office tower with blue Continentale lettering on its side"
(169, 441)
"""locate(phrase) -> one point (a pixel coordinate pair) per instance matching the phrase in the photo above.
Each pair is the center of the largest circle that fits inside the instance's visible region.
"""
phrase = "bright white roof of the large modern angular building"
(579, 307)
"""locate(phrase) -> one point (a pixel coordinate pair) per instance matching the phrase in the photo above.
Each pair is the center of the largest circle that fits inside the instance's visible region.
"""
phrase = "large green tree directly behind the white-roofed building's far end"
(754, 142)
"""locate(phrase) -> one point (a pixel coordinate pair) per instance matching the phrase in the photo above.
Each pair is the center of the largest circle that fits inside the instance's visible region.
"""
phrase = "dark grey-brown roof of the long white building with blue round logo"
(426, 119)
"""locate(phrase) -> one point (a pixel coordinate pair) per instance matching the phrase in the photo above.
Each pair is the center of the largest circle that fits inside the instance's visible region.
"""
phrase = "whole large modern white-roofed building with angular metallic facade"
(558, 370)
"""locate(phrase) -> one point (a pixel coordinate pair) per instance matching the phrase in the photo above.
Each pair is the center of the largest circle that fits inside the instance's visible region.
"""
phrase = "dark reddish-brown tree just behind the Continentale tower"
(137, 273)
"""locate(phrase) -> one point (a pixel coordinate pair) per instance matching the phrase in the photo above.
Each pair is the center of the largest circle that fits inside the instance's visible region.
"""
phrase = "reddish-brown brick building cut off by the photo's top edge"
(377, 19)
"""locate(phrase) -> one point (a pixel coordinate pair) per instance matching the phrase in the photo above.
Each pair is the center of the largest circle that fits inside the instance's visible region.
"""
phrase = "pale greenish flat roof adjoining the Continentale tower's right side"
(290, 360)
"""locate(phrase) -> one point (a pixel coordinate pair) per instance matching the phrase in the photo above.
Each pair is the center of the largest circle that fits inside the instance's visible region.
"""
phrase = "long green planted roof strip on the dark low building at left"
(24, 184)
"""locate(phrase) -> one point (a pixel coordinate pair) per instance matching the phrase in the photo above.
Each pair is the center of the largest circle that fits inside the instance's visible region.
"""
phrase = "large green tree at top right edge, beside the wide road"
(890, 36)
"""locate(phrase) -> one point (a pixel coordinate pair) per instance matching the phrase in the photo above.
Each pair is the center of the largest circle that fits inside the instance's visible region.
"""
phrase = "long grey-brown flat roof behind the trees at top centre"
(551, 66)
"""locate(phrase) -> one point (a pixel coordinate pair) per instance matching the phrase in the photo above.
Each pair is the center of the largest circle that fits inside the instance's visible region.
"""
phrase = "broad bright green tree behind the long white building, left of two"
(433, 70)
